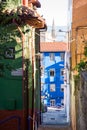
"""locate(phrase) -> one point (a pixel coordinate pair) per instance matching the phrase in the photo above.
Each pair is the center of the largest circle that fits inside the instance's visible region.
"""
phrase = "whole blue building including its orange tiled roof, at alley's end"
(53, 77)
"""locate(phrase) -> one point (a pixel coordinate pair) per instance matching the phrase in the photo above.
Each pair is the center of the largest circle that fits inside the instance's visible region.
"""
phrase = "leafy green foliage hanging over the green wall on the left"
(9, 33)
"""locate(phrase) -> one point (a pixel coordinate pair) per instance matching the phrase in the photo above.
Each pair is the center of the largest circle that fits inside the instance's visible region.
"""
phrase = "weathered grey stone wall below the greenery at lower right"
(81, 102)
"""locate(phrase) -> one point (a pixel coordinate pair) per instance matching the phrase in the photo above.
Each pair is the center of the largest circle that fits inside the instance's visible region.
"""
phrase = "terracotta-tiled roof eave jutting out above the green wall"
(26, 15)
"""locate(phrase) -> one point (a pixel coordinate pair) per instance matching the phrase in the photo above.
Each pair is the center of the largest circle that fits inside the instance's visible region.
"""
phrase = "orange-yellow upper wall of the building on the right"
(79, 31)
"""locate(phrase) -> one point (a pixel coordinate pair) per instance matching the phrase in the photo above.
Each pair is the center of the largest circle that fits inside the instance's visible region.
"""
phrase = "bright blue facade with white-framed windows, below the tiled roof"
(52, 78)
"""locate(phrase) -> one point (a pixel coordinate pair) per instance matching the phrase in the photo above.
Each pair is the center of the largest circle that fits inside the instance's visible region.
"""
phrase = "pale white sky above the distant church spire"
(54, 9)
